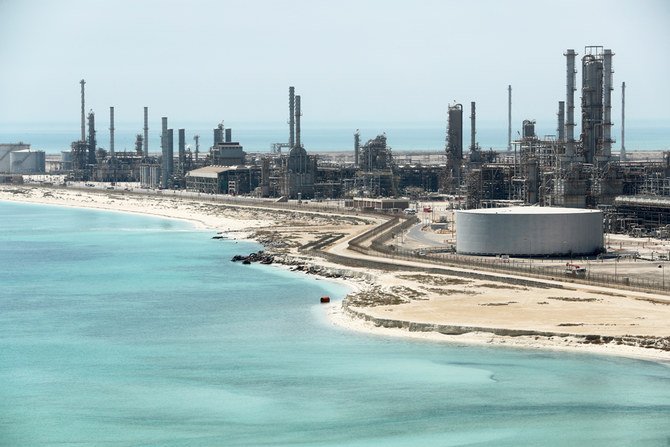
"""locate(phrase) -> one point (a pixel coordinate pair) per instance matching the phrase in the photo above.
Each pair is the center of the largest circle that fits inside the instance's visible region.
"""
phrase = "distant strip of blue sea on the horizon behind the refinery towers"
(319, 137)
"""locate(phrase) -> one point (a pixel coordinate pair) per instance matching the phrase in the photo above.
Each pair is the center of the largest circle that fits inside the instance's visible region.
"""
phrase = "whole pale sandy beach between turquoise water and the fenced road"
(399, 298)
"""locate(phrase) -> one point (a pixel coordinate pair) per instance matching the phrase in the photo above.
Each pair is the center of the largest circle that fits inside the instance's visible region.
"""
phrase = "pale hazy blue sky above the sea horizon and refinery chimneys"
(352, 61)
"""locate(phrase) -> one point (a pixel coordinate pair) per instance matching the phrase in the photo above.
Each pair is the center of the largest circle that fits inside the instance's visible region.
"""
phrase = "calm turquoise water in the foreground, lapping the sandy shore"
(126, 330)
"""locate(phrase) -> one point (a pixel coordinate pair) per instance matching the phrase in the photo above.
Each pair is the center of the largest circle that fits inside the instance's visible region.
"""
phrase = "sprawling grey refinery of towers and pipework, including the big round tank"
(572, 172)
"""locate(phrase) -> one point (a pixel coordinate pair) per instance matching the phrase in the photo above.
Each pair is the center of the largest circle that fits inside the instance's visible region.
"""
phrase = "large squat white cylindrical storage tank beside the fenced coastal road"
(529, 231)
